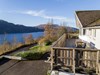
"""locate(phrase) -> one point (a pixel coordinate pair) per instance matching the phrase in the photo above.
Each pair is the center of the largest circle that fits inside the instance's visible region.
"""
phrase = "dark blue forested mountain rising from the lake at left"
(7, 27)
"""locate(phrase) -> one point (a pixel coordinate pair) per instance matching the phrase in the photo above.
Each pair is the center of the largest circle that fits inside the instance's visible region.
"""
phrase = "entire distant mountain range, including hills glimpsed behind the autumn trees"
(7, 27)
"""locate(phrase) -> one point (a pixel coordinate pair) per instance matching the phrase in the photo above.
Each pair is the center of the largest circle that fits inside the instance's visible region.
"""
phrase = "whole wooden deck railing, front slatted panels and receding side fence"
(74, 57)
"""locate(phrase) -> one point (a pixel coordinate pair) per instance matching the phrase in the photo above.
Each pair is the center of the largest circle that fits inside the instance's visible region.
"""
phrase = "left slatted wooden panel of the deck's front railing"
(65, 57)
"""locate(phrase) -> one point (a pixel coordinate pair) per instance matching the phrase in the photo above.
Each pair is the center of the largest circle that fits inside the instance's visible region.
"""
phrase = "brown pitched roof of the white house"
(88, 17)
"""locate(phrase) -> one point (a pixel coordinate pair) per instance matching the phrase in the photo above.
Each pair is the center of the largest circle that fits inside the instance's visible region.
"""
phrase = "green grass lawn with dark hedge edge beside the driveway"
(35, 52)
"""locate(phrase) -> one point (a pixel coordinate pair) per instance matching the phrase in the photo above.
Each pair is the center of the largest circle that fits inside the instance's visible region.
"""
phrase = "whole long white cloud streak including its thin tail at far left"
(43, 14)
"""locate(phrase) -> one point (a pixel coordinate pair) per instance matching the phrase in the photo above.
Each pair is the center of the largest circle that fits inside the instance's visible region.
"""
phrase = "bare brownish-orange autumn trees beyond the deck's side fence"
(52, 33)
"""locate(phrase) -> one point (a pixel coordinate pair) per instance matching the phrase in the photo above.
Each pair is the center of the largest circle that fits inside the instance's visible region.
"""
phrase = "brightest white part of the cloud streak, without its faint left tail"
(42, 14)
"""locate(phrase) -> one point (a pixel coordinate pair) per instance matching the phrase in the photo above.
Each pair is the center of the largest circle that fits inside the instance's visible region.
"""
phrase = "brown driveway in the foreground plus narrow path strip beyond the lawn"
(32, 67)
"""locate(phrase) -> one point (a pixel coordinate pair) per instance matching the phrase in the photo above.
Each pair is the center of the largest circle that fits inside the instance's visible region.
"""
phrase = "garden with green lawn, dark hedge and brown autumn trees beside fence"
(51, 34)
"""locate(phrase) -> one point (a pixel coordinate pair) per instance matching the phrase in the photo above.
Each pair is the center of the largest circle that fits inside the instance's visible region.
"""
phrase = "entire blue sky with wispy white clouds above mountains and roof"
(35, 12)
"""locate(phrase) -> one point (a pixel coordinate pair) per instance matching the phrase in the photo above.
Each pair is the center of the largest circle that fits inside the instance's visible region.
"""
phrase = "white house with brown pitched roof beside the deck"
(88, 23)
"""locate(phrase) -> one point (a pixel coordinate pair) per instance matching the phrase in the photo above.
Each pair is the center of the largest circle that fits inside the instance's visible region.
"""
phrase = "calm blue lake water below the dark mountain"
(19, 36)
